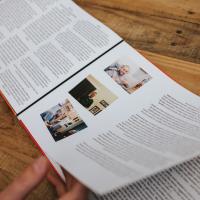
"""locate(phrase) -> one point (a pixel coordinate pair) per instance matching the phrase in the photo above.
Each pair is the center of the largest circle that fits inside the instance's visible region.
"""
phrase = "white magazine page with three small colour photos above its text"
(116, 122)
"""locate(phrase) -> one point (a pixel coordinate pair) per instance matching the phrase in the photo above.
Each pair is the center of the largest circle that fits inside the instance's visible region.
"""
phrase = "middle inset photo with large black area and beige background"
(93, 95)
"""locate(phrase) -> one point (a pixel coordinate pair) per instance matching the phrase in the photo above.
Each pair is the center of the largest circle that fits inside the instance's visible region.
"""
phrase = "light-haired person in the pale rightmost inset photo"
(116, 72)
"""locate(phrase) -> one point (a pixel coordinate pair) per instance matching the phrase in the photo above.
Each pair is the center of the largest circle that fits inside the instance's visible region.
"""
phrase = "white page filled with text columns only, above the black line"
(42, 43)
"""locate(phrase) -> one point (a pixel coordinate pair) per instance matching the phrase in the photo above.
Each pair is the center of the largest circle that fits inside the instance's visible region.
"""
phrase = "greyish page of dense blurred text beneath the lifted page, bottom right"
(178, 183)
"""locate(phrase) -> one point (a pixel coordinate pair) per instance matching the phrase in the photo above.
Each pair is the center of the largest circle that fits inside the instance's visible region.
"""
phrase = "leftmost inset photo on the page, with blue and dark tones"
(63, 121)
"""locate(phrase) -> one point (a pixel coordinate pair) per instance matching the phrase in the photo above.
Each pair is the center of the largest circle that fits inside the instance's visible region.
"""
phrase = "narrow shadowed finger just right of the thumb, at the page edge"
(57, 183)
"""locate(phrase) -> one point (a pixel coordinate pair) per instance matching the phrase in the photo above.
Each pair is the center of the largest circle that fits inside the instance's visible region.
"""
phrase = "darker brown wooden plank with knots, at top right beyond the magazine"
(170, 28)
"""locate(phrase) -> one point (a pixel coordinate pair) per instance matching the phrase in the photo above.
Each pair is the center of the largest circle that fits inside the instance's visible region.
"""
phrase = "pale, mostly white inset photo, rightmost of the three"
(126, 74)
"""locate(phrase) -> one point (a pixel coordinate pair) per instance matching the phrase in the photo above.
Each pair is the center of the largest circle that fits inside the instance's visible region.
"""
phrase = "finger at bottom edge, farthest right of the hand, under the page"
(79, 192)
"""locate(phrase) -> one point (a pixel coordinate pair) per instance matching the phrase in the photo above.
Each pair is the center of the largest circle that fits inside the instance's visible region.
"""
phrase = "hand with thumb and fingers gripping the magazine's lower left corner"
(35, 174)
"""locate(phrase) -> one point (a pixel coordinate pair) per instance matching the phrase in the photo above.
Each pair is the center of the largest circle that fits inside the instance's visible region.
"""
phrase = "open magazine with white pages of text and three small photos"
(95, 106)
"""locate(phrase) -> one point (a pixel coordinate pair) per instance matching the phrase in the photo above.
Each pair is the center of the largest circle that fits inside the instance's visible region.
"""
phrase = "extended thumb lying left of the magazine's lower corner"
(31, 177)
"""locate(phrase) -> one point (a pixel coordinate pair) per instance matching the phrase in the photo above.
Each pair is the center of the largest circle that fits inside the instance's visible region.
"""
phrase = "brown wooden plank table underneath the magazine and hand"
(165, 32)
